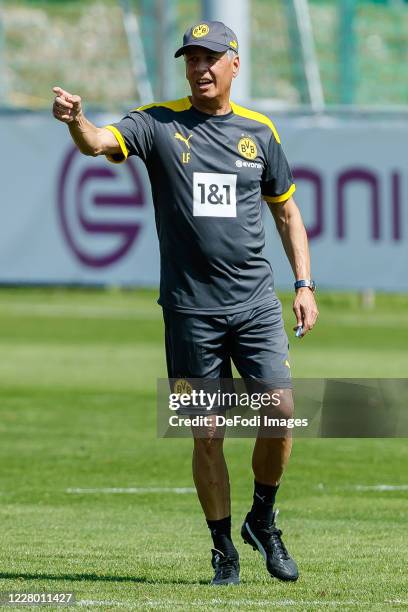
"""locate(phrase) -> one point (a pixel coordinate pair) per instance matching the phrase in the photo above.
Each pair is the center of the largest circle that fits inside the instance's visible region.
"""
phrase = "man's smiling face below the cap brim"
(209, 73)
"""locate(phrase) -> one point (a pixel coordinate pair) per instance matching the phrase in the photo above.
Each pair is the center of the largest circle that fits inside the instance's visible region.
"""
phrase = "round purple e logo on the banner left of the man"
(98, 206)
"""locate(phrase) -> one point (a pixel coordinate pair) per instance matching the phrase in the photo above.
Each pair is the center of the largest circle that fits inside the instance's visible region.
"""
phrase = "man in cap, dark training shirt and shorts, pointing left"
(210, 161)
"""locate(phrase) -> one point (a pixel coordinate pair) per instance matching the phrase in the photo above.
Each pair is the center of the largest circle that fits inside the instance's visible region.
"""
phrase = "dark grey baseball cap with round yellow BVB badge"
(212, 35)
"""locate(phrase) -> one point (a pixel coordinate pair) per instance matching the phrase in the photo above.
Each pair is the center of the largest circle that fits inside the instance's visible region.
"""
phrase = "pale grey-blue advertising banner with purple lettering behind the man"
(67, 218)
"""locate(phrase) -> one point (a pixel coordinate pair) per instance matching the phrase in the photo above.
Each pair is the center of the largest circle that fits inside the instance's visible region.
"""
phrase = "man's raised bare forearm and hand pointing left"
(89, 139)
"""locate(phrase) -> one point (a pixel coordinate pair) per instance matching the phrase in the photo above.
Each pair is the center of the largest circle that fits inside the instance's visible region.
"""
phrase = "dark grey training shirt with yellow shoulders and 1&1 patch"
(208, 174)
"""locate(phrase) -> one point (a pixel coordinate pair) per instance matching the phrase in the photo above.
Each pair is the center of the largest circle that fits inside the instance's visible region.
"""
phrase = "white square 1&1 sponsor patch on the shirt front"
(214, 195)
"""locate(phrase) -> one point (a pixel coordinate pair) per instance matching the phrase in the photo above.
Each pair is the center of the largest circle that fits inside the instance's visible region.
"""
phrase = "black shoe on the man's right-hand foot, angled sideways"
(267, 539)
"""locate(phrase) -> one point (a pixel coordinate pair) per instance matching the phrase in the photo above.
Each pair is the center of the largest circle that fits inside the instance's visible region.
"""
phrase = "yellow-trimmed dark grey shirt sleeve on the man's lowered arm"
(277, 182)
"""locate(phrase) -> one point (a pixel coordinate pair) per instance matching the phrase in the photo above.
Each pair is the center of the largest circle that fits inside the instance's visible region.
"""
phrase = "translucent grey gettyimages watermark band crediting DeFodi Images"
(303, 408)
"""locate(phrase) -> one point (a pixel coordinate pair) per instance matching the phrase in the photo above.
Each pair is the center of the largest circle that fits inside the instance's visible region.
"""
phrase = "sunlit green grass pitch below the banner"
(77, 379)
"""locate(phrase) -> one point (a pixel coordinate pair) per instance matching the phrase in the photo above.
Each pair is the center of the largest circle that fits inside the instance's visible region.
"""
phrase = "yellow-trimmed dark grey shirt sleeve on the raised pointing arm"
(135, 134)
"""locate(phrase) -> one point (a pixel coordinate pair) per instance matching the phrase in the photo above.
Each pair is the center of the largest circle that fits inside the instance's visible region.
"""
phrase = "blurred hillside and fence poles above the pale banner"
(352, 52)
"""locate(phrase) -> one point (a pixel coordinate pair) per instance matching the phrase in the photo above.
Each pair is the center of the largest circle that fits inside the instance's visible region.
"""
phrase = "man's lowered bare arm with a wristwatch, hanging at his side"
(292, 231)
